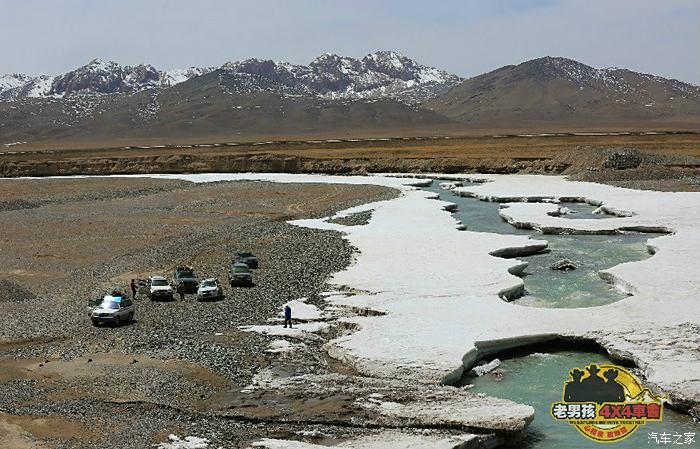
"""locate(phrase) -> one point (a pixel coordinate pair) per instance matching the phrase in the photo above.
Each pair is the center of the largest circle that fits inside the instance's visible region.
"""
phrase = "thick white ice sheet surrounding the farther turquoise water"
(442, 303)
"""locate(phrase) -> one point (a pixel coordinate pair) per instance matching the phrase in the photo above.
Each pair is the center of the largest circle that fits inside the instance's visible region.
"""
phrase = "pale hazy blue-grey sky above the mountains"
(465, 37)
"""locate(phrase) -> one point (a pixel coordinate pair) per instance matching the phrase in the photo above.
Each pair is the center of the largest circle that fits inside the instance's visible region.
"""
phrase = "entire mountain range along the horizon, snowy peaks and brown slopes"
(333, 94)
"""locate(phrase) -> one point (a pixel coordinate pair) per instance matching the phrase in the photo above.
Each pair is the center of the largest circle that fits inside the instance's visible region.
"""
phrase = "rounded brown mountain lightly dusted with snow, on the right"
(558, 91)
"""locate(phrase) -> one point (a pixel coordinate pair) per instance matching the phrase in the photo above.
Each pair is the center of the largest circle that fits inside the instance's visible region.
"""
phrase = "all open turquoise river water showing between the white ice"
(537, 379)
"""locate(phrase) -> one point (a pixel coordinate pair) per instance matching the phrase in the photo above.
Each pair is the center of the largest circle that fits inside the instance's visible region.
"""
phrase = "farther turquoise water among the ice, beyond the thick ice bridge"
(545, 287)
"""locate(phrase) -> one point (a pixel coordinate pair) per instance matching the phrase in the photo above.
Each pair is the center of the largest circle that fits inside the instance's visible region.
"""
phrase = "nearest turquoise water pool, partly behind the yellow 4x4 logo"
(537, 380)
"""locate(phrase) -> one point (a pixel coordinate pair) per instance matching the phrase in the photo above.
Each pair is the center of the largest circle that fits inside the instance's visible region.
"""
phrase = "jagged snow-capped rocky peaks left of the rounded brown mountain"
(383, 74)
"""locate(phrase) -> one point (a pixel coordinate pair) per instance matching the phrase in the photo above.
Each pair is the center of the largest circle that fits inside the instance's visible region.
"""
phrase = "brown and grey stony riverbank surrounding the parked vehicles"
(68, 384)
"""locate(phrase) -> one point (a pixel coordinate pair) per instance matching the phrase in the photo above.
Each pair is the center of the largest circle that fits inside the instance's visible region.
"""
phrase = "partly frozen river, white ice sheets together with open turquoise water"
(435, 290)
